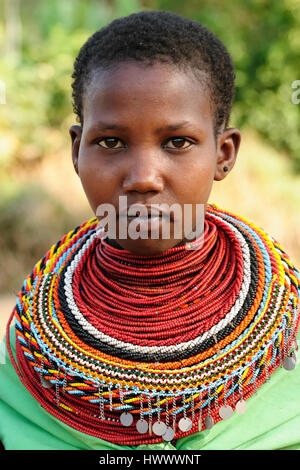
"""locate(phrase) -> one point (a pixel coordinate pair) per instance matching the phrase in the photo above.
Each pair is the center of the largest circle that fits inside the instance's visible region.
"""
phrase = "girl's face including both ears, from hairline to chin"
(148, 134)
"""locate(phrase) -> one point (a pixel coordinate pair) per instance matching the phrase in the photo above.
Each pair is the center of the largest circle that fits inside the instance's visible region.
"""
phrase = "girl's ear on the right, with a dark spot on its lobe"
(227, 150)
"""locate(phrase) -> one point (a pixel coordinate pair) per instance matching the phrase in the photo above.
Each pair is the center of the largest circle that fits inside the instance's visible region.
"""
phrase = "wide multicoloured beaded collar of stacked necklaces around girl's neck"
(137, 350)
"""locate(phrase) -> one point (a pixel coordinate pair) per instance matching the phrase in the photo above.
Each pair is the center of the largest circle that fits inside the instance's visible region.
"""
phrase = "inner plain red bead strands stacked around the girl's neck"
(144, 299)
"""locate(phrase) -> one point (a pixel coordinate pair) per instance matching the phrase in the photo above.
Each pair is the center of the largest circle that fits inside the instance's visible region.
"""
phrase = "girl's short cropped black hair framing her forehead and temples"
(159, 36)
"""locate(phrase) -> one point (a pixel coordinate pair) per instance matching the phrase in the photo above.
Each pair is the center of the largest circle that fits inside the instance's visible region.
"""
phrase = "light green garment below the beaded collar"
(272, 421)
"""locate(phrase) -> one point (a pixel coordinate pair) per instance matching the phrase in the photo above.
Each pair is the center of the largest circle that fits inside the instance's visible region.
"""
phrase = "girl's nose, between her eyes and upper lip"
(144, 174)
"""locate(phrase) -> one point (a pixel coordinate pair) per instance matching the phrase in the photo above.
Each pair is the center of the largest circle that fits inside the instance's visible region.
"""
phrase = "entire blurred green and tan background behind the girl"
(40, 194)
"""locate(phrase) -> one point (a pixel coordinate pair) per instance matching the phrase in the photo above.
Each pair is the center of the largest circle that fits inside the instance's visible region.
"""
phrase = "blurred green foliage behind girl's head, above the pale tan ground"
(263, 37)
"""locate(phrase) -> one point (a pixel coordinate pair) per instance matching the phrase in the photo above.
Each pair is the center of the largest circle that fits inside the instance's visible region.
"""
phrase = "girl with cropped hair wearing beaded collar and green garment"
(125, 340)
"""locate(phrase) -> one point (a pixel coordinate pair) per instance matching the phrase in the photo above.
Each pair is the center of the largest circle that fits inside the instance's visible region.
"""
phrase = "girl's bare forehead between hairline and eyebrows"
(138, 87)
